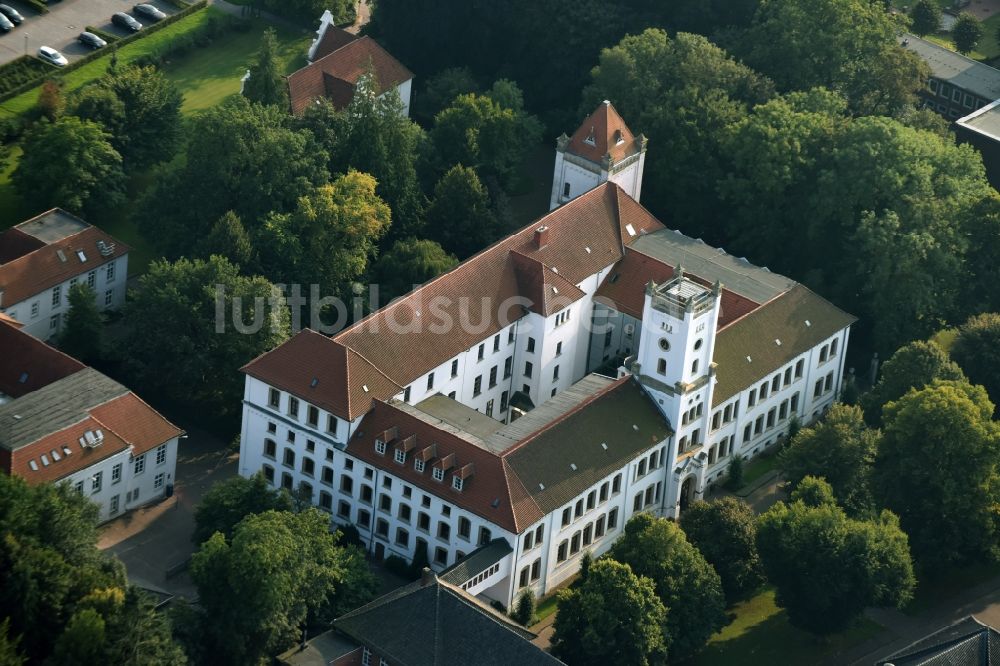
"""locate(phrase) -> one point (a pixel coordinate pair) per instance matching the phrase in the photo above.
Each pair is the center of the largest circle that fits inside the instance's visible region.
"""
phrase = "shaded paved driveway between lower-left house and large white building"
(155, 539)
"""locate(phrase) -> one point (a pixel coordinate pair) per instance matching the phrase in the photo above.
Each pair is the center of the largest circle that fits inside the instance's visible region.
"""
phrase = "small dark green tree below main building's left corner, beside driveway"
(228, 502)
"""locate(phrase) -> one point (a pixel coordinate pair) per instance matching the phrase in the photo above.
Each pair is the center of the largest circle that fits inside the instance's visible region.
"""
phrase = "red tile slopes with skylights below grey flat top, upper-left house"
(42, 268)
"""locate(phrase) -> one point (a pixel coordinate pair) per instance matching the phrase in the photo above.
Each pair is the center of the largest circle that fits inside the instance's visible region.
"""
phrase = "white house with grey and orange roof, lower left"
(62, 422)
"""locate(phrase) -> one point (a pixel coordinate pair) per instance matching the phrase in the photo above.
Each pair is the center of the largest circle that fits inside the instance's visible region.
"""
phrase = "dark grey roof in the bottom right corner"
(968, 642)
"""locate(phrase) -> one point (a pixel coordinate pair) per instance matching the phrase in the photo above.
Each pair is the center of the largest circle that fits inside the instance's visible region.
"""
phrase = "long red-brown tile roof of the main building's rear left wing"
(401, 343)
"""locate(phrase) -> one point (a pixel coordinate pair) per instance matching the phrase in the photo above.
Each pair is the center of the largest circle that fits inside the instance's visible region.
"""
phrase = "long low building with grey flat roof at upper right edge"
(958, 84)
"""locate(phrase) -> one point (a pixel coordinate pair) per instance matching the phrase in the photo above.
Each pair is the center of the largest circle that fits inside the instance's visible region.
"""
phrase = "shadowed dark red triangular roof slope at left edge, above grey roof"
(29, 359)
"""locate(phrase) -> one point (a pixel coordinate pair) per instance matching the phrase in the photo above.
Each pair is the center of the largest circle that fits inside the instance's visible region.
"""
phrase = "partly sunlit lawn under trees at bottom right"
(760, 634)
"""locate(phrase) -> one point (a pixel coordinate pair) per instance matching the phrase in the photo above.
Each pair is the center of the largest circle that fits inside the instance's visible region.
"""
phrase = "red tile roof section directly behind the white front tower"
(625, 288)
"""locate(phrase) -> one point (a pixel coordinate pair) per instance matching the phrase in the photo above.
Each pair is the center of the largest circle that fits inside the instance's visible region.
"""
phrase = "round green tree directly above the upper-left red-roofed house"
(70, 163)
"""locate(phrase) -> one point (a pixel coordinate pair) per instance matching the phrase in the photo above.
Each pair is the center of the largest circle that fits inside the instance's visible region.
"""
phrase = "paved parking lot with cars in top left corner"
(65, 20)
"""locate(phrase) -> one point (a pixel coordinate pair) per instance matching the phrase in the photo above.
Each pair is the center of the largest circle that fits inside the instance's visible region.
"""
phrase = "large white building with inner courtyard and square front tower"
(467, 418)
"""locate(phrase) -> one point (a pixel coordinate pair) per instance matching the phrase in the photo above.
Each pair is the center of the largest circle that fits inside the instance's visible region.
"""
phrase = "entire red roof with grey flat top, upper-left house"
(41, 263)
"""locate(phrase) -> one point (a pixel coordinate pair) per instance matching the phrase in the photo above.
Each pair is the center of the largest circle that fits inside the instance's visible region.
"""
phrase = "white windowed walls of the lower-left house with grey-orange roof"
(123, 481)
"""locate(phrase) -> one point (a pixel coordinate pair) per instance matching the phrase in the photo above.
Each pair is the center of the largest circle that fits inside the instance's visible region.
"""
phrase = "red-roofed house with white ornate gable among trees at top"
(337, 61)
